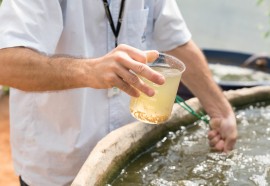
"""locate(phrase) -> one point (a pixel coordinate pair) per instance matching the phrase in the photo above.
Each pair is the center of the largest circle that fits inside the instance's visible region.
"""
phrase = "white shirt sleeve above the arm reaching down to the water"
(170, 29)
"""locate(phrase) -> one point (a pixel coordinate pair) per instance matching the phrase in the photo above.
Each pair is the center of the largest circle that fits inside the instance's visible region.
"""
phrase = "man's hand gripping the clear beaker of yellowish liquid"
(120, 68)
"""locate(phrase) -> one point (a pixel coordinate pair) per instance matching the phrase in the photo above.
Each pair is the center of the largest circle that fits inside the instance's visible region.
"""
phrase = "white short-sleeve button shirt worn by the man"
(52, 133)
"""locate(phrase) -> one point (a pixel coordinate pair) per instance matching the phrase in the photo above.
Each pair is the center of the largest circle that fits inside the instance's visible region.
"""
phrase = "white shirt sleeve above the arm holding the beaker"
(36, 24)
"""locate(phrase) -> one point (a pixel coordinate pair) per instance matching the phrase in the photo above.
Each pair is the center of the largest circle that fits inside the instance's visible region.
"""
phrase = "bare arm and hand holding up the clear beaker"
(28, 70)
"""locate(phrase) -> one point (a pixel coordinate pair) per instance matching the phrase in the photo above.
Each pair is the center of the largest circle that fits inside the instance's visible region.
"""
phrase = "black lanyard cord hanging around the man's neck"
(119, 22)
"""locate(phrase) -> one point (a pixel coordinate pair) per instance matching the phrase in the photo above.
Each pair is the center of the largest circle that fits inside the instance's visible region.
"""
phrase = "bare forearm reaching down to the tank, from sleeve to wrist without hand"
(198, 79)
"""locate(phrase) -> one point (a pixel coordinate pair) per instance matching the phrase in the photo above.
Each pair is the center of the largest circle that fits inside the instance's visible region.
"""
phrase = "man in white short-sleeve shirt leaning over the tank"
(67, 48)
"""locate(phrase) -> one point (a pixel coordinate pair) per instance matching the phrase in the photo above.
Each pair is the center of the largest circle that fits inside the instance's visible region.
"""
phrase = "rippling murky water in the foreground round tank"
(183, 158)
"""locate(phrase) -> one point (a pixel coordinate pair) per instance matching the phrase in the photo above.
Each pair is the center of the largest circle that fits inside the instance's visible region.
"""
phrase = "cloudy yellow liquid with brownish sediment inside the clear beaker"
(158, 108)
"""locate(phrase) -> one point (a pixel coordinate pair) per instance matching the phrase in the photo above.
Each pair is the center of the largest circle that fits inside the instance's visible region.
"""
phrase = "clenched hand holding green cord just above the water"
(223, 134)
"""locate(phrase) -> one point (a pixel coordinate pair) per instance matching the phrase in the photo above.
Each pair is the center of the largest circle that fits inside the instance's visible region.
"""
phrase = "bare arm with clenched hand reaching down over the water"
(198, 78)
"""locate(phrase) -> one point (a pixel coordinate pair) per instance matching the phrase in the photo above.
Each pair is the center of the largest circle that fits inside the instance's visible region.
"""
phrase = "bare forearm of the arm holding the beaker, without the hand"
(28, 70)
